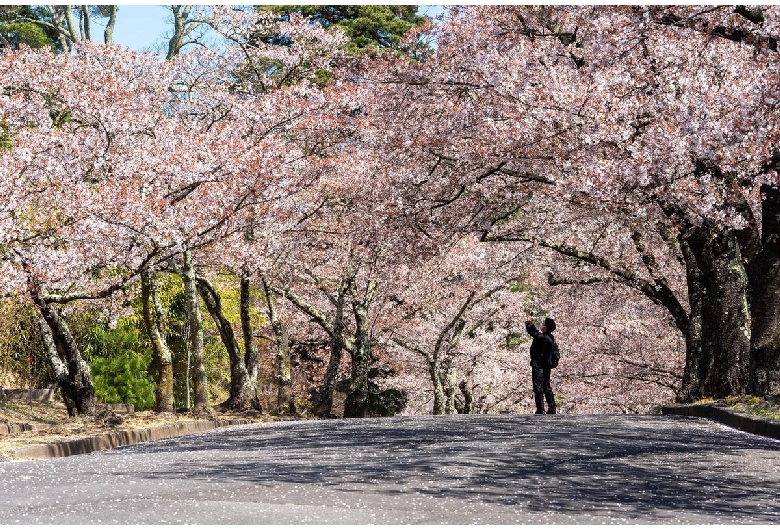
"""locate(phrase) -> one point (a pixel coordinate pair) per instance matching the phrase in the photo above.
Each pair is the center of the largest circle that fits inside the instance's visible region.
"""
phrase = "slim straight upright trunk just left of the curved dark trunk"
(200, 381)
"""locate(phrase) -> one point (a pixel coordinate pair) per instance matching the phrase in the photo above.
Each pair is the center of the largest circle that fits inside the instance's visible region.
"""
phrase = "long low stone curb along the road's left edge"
(101, 442)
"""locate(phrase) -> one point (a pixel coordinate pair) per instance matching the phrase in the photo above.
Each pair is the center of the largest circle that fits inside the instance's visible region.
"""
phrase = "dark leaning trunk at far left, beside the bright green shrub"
(79, 392)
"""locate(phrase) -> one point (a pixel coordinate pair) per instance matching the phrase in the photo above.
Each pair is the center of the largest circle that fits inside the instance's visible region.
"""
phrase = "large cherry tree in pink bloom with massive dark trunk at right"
(637, 141)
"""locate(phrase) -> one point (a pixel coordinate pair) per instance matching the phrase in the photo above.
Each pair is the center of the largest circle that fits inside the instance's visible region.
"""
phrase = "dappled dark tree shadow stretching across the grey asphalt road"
(567, 464)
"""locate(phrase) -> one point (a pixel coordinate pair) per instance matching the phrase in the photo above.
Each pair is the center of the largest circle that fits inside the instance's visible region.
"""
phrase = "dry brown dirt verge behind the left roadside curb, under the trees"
(50, 422)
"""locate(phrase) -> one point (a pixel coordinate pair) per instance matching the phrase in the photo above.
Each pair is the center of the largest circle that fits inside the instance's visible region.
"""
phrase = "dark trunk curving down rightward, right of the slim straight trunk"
(243, 395)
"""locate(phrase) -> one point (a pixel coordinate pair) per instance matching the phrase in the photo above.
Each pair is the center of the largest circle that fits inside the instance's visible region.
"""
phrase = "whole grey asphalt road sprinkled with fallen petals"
(424, 470)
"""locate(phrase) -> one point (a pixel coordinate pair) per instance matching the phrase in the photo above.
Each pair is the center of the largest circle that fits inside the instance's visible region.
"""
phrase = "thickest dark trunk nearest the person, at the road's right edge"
(718, 336)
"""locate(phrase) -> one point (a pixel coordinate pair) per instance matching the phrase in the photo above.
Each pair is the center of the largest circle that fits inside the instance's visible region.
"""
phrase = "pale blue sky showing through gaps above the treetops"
(143, 27)
